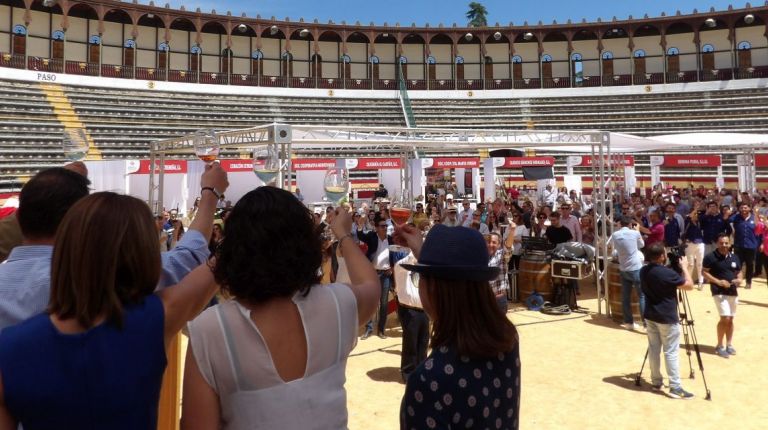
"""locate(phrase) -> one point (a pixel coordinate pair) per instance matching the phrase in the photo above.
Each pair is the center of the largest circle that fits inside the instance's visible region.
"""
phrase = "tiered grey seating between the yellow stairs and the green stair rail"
(122, 123)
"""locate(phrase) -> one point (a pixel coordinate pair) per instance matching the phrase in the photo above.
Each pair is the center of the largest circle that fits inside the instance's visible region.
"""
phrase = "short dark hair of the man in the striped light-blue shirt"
(46, 198)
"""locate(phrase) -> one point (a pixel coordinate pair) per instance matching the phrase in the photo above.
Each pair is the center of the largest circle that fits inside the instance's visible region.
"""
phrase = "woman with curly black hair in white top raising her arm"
(275, 356)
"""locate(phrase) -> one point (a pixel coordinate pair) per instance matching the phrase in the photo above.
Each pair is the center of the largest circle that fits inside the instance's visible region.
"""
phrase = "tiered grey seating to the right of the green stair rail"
(745, 111)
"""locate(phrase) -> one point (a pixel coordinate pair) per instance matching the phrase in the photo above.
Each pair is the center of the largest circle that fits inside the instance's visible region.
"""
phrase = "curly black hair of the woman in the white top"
(270, 249)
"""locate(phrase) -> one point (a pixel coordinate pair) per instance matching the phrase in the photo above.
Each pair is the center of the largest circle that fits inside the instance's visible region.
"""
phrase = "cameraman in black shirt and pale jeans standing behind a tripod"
(660, 284)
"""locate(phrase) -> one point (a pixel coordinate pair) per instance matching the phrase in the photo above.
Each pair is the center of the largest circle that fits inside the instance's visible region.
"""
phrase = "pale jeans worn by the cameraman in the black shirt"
(668, 337)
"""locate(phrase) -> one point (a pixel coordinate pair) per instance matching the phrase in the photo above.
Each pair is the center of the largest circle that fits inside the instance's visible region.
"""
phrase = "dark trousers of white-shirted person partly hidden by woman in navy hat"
(415, 324)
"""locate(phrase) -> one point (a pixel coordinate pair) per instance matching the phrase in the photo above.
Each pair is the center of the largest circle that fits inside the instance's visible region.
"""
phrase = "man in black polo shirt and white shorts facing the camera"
(722, 269)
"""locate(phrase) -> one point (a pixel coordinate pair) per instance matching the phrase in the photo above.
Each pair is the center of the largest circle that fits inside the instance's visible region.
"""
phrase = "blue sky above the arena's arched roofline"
(449, 11)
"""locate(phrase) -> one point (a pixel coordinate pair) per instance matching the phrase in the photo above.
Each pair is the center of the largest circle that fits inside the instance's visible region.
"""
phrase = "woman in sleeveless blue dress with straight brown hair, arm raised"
(95, 359)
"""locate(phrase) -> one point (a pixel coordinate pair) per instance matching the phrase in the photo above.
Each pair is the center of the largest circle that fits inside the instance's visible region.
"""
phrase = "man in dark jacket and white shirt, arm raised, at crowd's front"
(378, 253)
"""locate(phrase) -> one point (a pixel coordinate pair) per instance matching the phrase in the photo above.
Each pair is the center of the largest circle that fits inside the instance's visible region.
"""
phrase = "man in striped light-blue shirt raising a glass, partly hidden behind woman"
(25, 277)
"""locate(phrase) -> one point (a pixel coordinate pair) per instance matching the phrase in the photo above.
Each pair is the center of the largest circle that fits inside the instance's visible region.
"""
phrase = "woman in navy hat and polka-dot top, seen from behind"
(472, 377)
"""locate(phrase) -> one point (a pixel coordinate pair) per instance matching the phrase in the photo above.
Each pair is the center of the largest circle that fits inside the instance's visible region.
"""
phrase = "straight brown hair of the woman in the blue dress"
(105, 257)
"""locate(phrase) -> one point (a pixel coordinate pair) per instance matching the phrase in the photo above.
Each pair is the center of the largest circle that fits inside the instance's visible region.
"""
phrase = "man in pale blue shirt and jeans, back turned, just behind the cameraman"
(627, 244)
